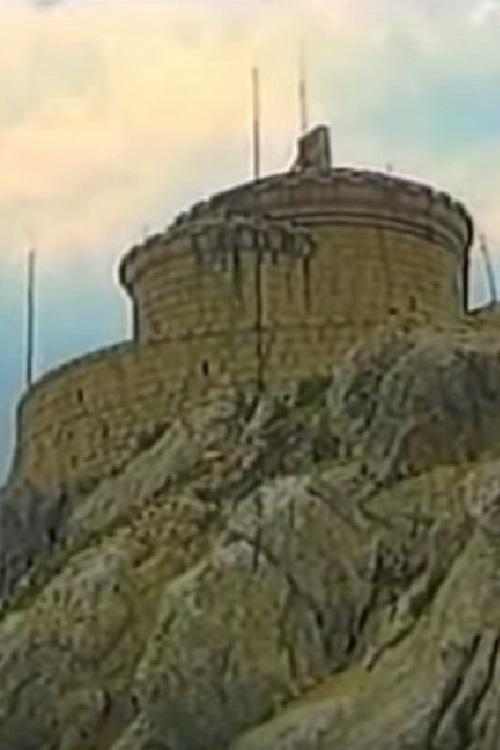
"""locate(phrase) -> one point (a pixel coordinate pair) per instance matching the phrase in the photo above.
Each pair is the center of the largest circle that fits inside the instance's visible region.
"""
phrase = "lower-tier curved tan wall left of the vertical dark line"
(83, 421)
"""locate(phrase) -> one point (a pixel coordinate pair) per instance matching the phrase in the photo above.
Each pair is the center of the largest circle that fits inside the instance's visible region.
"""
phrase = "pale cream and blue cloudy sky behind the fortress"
(117, 114)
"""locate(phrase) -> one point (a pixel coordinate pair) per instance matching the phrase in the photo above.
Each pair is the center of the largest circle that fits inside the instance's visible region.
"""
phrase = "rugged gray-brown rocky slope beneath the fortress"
(320, 573)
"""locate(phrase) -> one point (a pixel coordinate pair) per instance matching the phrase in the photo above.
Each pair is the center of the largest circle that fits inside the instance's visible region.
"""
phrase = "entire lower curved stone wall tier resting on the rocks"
(84, 421)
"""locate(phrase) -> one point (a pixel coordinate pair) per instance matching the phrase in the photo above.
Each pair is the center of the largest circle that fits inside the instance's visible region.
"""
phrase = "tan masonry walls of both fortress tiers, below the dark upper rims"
(86, 419)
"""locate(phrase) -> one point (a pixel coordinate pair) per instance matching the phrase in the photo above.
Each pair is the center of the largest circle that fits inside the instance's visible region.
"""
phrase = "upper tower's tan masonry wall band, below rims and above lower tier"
(354, 275)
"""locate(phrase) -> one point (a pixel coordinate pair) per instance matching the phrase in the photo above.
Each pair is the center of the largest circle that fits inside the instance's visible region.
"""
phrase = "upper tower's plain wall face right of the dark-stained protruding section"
(361, 275)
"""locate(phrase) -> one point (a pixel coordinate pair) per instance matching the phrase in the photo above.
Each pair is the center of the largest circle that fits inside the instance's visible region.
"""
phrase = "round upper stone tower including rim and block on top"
(315, 247)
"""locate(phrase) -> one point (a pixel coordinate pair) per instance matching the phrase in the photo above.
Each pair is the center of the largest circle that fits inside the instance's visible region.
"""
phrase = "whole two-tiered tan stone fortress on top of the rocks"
(252, 289)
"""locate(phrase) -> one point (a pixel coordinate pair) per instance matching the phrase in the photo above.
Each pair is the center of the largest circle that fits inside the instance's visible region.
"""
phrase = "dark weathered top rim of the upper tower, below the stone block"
(349, 195)
